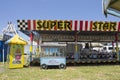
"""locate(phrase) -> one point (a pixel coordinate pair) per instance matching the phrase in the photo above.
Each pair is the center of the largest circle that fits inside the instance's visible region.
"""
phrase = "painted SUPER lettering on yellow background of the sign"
(53, 25)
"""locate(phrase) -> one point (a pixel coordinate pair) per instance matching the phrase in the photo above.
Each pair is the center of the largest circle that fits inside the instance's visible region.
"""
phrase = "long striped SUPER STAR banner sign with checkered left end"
(67, 25)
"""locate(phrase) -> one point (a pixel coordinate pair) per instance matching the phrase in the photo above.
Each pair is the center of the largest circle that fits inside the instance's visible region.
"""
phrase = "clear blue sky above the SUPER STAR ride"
(12, 10)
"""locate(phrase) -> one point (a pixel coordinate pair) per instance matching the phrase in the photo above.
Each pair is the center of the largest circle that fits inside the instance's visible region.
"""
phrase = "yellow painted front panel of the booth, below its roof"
(16, 56)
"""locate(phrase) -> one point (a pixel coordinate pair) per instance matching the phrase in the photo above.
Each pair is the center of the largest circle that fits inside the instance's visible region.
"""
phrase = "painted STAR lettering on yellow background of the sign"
(104, 26)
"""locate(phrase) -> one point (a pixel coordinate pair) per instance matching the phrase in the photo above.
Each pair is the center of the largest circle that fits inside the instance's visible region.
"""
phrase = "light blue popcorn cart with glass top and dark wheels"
(52, 56)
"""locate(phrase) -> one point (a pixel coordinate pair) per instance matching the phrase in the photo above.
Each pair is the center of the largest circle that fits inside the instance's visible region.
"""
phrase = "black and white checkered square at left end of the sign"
(22, 24)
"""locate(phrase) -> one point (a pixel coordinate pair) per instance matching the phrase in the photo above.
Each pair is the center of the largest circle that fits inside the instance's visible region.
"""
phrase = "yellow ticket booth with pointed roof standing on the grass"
(16, 52)
